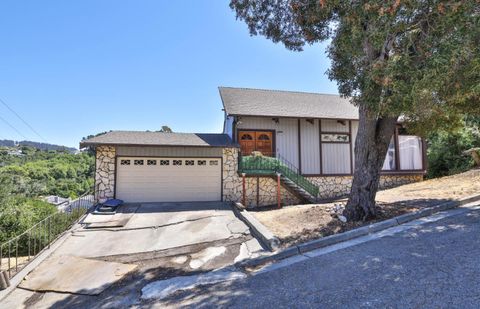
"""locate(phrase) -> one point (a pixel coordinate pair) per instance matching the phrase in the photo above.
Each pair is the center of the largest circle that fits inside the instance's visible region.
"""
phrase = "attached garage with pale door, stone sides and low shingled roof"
(146, 166)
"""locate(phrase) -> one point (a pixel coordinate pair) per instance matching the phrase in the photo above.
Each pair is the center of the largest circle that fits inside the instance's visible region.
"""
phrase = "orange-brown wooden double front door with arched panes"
(261, 141)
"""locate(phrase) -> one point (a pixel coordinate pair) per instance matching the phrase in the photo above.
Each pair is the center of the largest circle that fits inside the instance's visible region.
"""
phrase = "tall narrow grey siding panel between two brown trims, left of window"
(310, 146)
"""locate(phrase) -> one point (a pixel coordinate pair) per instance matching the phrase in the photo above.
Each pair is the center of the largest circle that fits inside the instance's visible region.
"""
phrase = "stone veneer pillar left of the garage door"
(105, 173)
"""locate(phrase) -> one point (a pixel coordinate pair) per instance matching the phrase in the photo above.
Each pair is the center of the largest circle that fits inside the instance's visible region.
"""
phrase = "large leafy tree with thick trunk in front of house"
(414, 59)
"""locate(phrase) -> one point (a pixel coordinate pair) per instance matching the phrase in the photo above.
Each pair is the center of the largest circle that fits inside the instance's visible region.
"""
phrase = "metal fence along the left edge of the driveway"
(19, 251)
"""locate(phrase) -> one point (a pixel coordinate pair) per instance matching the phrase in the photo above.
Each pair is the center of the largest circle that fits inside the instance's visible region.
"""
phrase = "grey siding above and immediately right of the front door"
(286, 137)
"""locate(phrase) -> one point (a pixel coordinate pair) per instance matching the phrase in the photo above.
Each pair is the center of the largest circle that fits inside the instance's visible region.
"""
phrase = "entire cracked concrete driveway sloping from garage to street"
(161, 239)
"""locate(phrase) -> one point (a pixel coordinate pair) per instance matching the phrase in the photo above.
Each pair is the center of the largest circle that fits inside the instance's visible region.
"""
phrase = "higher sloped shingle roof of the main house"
(276, 103)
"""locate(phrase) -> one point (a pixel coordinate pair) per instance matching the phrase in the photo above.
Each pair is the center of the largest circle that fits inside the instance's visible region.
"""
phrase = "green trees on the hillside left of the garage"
(35, 173)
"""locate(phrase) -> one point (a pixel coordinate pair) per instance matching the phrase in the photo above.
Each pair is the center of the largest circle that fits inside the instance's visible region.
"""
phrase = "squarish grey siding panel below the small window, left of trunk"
(336, 158)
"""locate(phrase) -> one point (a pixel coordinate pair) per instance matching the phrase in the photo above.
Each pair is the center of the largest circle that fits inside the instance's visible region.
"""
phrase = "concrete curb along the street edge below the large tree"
(355, 233)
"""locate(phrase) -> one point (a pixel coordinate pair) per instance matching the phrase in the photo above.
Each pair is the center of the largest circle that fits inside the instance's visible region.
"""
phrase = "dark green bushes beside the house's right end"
(445, 150)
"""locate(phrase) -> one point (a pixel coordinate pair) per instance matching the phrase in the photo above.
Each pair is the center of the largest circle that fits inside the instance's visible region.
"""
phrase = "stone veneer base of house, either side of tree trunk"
(335, 186)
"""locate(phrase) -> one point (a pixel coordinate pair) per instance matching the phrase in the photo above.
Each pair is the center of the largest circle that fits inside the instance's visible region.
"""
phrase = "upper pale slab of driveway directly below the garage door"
(157, 227)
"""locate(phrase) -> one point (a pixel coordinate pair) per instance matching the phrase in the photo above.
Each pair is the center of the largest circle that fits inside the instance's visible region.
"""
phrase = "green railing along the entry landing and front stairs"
(262, 165)
